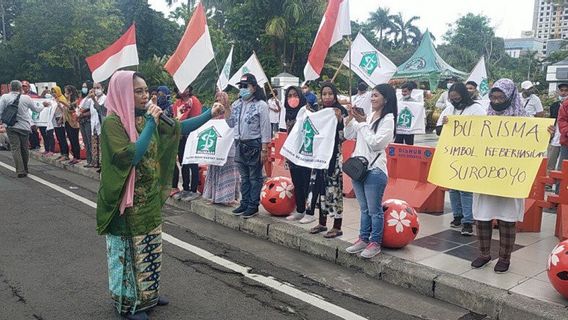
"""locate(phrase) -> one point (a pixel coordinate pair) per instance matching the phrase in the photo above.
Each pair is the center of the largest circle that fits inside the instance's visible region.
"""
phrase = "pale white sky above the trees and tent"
(508, 17)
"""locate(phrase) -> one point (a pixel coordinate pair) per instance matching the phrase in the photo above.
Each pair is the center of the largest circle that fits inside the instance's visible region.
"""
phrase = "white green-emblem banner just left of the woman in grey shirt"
(210, 144)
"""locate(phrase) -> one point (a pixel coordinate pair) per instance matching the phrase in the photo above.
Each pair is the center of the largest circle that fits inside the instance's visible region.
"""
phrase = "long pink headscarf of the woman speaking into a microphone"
(120, 101)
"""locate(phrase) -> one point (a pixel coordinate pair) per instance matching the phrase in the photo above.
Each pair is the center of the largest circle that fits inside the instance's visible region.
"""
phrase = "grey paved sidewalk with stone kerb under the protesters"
(436, 264)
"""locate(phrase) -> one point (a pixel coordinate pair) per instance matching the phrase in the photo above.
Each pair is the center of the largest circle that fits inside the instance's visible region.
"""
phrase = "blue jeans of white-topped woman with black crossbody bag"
(369, 194)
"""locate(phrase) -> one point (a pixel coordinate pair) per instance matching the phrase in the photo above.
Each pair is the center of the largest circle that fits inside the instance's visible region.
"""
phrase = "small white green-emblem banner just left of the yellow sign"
(411, 118)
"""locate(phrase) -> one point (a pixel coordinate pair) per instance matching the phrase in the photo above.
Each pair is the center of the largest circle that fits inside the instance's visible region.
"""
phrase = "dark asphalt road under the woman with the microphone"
(53, 266)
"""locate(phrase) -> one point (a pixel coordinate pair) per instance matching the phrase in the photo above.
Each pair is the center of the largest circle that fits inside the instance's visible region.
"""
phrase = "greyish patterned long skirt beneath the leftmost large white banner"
(222, 183)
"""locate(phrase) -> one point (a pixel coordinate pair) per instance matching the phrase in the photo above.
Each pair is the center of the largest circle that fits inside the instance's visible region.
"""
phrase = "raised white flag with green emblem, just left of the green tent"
(368, 63)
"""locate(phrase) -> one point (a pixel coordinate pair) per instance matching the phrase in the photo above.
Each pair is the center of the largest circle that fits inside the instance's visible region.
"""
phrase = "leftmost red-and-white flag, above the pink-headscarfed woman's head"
(122, 53)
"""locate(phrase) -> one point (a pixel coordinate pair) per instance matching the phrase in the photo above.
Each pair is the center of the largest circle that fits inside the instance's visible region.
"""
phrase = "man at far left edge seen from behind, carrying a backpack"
(18, 134)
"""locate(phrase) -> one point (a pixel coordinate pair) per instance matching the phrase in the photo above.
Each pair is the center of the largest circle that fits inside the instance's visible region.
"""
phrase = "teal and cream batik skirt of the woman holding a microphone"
(134, 266)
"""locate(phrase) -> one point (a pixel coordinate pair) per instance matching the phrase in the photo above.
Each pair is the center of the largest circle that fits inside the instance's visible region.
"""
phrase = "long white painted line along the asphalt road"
(264, 280)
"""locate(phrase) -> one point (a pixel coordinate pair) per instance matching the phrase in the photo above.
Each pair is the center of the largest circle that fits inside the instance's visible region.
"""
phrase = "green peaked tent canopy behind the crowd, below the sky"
(426, 65)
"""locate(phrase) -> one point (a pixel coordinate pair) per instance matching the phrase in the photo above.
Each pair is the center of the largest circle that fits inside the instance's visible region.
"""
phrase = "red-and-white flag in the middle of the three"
(194, 51)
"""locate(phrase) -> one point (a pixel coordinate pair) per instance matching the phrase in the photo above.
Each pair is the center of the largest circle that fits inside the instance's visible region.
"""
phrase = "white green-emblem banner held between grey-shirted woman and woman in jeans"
(310, 143)
